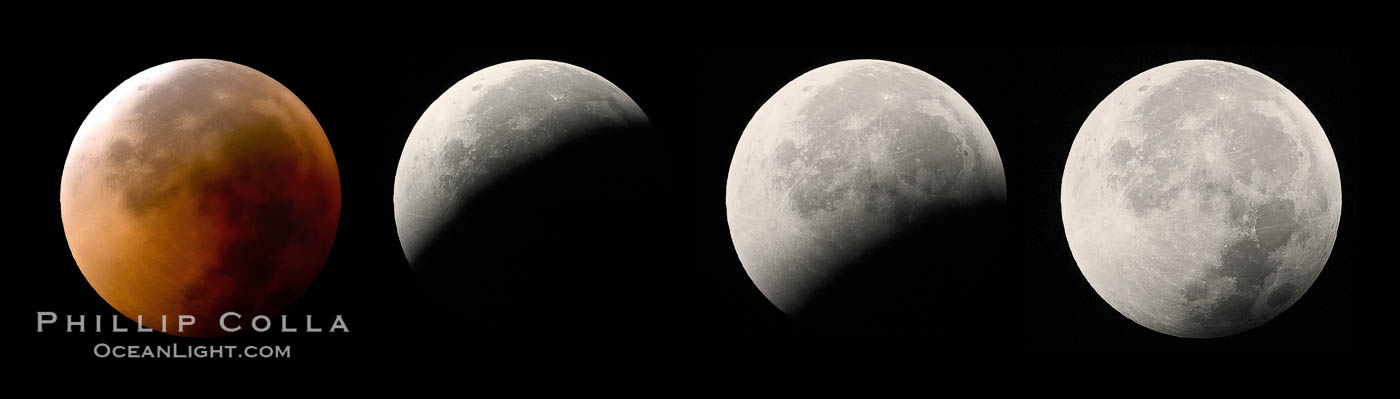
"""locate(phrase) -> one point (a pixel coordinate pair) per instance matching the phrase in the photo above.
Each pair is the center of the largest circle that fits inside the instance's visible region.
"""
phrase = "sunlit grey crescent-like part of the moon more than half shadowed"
(488, 131)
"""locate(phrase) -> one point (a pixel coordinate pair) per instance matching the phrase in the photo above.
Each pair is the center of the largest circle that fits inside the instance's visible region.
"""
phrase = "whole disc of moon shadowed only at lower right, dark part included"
(839, 171)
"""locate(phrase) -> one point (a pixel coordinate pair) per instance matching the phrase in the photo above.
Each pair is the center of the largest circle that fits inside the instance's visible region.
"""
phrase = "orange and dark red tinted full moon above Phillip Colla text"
(201, 188)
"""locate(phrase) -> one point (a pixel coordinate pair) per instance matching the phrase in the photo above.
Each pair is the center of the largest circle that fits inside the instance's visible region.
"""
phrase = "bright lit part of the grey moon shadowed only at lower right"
(842, 160)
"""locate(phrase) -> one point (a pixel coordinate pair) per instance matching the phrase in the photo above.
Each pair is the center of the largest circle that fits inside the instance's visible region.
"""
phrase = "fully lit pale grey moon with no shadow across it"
(1202, 199)
